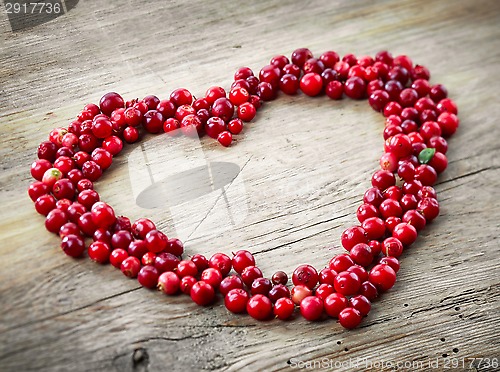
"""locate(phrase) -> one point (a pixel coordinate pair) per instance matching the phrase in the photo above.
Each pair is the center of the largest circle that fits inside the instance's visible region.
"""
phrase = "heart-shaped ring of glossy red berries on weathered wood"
(401, 201)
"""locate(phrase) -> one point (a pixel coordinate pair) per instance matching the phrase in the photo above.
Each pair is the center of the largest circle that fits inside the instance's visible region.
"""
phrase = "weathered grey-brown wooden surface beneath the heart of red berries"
(302, 167)
